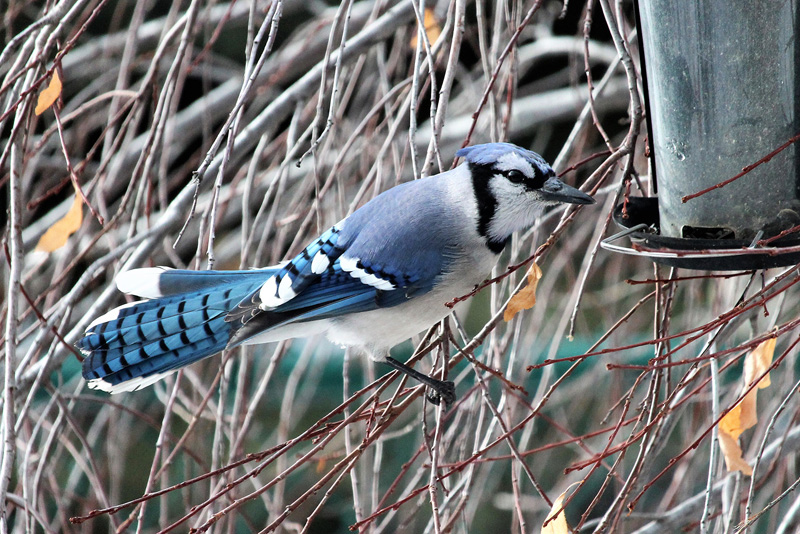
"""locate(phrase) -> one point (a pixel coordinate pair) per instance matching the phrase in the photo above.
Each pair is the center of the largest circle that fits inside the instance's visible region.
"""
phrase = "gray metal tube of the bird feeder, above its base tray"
(722, 95)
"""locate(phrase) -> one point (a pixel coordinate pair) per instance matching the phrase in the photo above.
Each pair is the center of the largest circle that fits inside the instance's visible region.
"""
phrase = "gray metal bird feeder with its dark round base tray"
(721, 96)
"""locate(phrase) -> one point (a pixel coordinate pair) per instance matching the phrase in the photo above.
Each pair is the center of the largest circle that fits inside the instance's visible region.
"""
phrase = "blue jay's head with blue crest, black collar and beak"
(512, 187)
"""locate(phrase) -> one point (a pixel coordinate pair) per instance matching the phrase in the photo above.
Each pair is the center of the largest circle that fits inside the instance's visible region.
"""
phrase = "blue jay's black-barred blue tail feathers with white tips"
(139, 343)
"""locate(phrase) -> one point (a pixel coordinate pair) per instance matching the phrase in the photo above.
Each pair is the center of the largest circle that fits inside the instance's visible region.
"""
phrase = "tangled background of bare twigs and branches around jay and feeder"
(211, 134)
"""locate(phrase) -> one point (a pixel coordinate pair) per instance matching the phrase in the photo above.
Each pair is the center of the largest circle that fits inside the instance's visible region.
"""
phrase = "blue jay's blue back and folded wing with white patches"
(384, 254)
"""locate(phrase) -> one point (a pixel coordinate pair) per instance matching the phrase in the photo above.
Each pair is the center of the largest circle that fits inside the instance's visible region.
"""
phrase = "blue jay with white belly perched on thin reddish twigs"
(373, 280)
